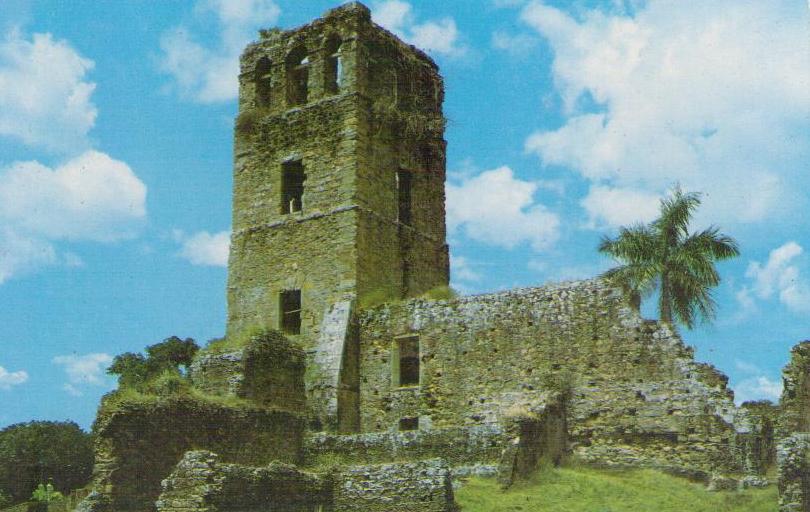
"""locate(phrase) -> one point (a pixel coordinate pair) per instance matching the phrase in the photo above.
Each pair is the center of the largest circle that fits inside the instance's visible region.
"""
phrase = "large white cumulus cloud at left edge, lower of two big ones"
(91, 197)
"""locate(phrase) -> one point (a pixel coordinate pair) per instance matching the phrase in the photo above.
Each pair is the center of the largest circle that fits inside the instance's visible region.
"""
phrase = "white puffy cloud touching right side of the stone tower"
(496, 208)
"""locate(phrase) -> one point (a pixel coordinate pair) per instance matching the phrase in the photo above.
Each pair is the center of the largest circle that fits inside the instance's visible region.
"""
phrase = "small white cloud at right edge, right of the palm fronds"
(781, 277)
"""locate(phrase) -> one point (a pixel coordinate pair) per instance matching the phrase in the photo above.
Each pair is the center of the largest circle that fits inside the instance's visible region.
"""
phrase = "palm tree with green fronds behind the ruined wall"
(666, 256)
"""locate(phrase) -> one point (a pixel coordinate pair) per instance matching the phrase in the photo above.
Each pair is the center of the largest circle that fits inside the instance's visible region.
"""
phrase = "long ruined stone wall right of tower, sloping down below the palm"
(638, 396)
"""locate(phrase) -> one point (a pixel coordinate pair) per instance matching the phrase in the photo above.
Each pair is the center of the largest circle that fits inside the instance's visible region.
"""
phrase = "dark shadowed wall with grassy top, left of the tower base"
(138, 444)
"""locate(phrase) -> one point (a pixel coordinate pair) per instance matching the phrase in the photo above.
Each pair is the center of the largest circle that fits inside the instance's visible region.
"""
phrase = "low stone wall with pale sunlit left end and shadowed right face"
(201, 482)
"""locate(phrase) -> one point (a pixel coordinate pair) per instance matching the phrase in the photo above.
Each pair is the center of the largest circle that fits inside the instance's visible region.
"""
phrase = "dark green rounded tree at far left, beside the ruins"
(35, 452)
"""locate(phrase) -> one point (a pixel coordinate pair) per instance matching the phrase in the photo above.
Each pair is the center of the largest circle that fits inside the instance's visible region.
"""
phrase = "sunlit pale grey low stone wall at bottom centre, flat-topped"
(422, 486)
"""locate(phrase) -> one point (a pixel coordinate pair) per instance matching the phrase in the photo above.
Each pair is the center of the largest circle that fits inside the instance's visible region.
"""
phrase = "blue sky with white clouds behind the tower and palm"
(566, 120)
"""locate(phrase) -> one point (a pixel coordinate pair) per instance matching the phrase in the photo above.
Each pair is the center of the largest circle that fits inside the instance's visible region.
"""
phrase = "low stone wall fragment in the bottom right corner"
(793, 459)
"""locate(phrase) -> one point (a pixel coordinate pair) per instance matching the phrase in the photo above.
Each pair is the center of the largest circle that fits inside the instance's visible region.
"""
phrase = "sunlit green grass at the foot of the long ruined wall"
(577, 489)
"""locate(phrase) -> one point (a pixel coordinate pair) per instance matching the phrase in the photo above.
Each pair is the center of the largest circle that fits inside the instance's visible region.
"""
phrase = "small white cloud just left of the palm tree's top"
(616, 207)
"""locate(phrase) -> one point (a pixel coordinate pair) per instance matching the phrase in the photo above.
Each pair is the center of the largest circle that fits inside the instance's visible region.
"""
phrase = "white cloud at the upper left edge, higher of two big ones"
(44, 96)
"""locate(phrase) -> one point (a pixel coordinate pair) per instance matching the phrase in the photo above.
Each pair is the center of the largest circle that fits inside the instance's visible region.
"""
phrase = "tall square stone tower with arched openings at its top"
(338, 176)
